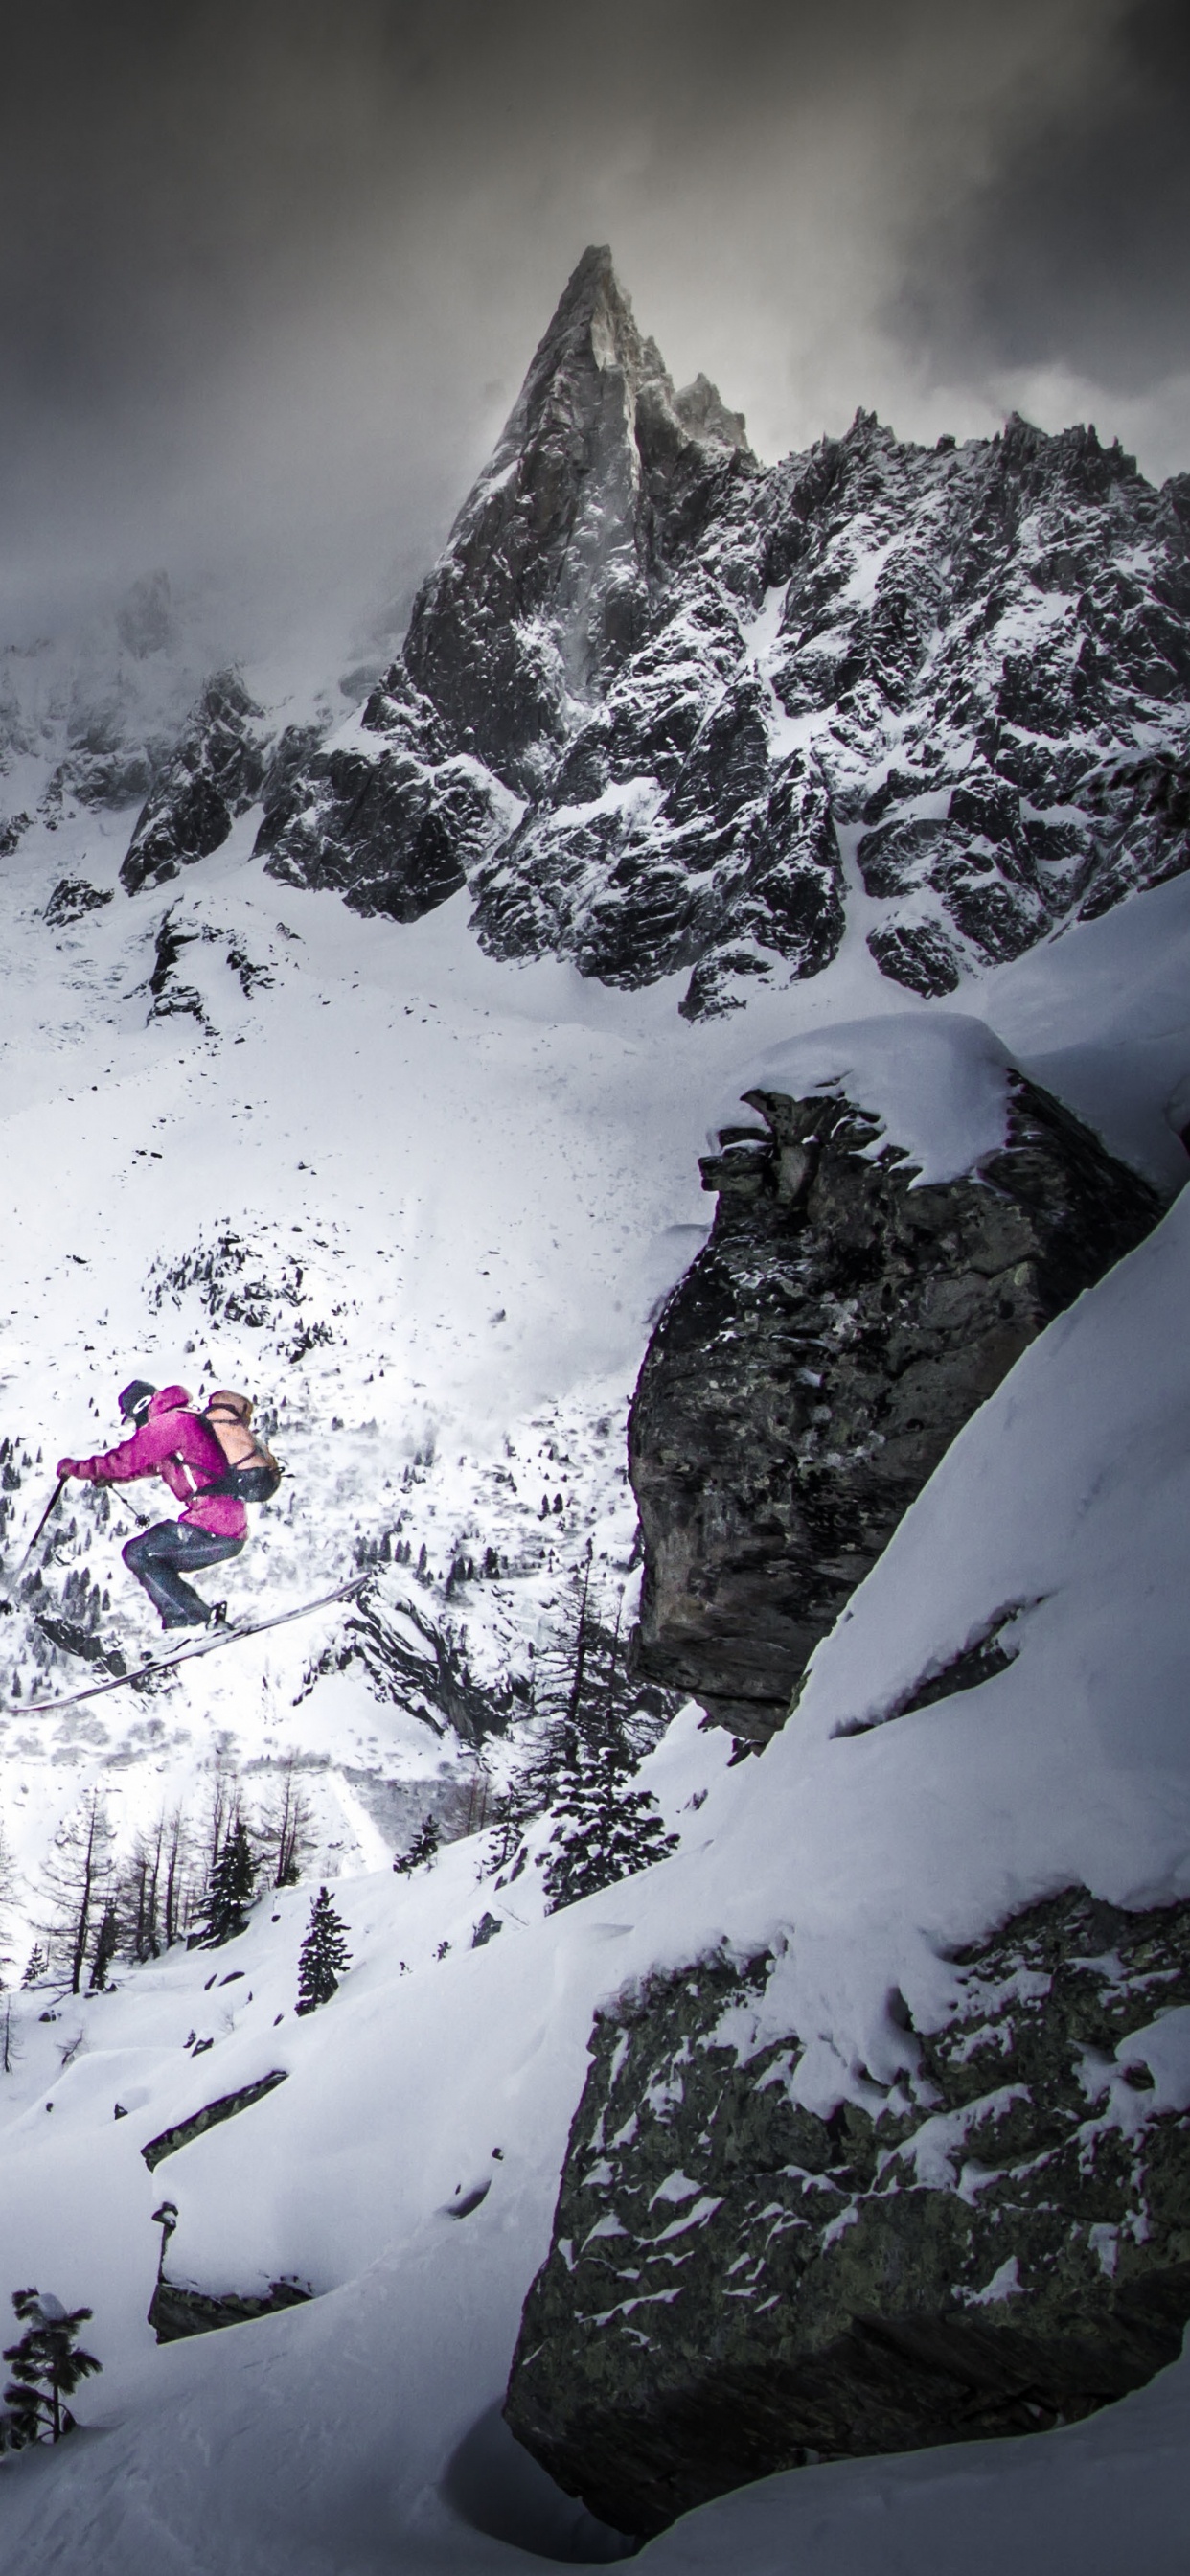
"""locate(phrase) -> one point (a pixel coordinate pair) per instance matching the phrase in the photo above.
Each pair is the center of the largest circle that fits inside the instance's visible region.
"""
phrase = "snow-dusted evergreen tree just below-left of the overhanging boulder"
(604, 1830)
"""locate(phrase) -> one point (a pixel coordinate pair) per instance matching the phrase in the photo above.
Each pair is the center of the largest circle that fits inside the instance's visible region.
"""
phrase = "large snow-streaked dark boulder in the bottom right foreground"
(996, 2245)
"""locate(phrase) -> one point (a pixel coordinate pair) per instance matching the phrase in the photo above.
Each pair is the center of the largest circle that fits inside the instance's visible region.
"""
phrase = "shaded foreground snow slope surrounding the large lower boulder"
(336, 2430)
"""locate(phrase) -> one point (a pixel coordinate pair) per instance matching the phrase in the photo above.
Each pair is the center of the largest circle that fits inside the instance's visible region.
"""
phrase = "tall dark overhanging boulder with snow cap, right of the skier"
(823, 1354)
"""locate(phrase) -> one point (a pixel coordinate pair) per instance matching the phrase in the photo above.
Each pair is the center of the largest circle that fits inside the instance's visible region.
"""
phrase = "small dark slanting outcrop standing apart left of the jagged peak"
(212, 777)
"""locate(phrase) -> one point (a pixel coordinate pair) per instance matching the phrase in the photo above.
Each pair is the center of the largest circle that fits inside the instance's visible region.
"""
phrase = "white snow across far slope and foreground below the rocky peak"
(488, 1179)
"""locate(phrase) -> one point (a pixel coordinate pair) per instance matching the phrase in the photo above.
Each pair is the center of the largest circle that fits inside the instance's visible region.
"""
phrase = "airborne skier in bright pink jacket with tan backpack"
(182, 1446)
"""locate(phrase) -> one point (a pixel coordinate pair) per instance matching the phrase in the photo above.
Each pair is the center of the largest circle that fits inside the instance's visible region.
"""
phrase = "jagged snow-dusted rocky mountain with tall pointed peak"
(710, 687)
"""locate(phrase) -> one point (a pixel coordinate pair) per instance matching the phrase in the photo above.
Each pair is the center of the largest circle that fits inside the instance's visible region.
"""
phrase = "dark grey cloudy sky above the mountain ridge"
(272, 269)
